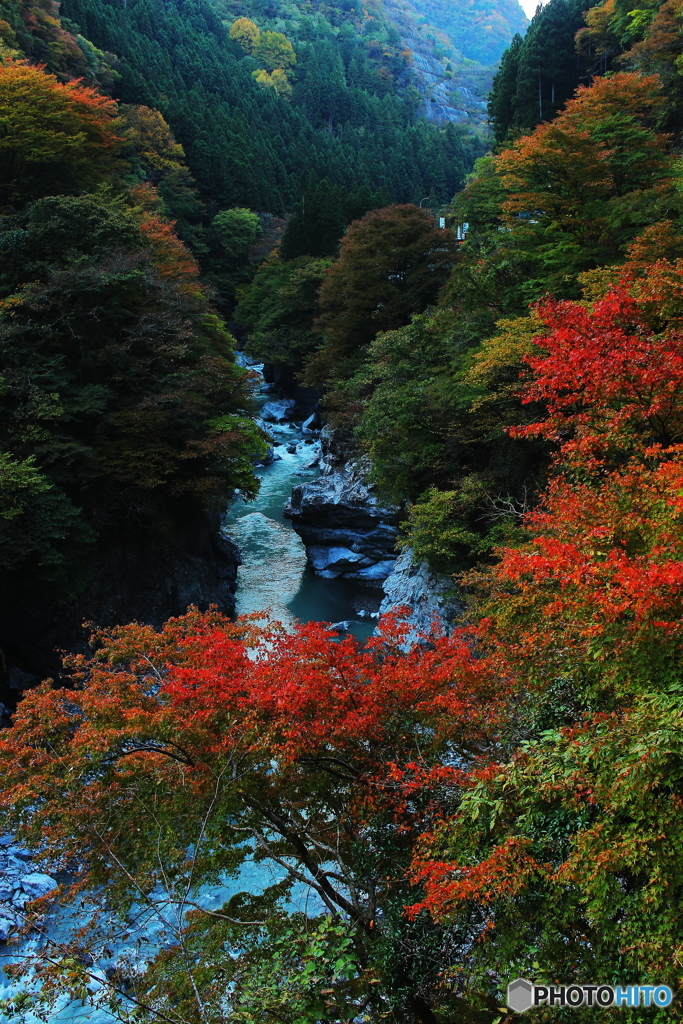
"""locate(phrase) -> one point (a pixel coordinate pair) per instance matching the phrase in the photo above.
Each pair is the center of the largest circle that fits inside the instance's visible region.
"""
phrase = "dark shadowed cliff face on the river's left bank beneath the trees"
(145, 580)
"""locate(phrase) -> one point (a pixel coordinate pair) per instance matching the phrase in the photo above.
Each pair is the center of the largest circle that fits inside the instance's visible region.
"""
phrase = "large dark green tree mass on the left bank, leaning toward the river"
(113, 374)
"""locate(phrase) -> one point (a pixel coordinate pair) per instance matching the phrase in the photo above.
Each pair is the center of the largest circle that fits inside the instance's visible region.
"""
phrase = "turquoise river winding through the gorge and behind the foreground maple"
(276, 578)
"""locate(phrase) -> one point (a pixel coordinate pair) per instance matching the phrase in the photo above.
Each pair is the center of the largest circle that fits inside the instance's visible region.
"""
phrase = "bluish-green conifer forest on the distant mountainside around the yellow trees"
(244, 146)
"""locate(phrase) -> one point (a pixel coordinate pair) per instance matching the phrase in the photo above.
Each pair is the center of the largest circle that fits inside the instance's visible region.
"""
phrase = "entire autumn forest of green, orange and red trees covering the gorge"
(497, 800)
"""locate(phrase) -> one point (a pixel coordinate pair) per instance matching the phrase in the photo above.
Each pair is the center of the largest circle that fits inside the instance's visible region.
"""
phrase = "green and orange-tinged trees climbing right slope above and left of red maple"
(540, 216)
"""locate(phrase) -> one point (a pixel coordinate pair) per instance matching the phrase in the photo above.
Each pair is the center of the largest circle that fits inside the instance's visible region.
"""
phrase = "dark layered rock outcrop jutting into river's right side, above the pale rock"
(348, 532)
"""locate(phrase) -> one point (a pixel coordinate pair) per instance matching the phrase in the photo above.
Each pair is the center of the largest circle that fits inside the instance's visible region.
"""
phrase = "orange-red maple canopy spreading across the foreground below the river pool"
(293, 710)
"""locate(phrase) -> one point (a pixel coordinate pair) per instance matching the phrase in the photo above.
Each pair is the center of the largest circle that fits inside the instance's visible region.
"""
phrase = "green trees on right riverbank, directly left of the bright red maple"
(433, 429)
